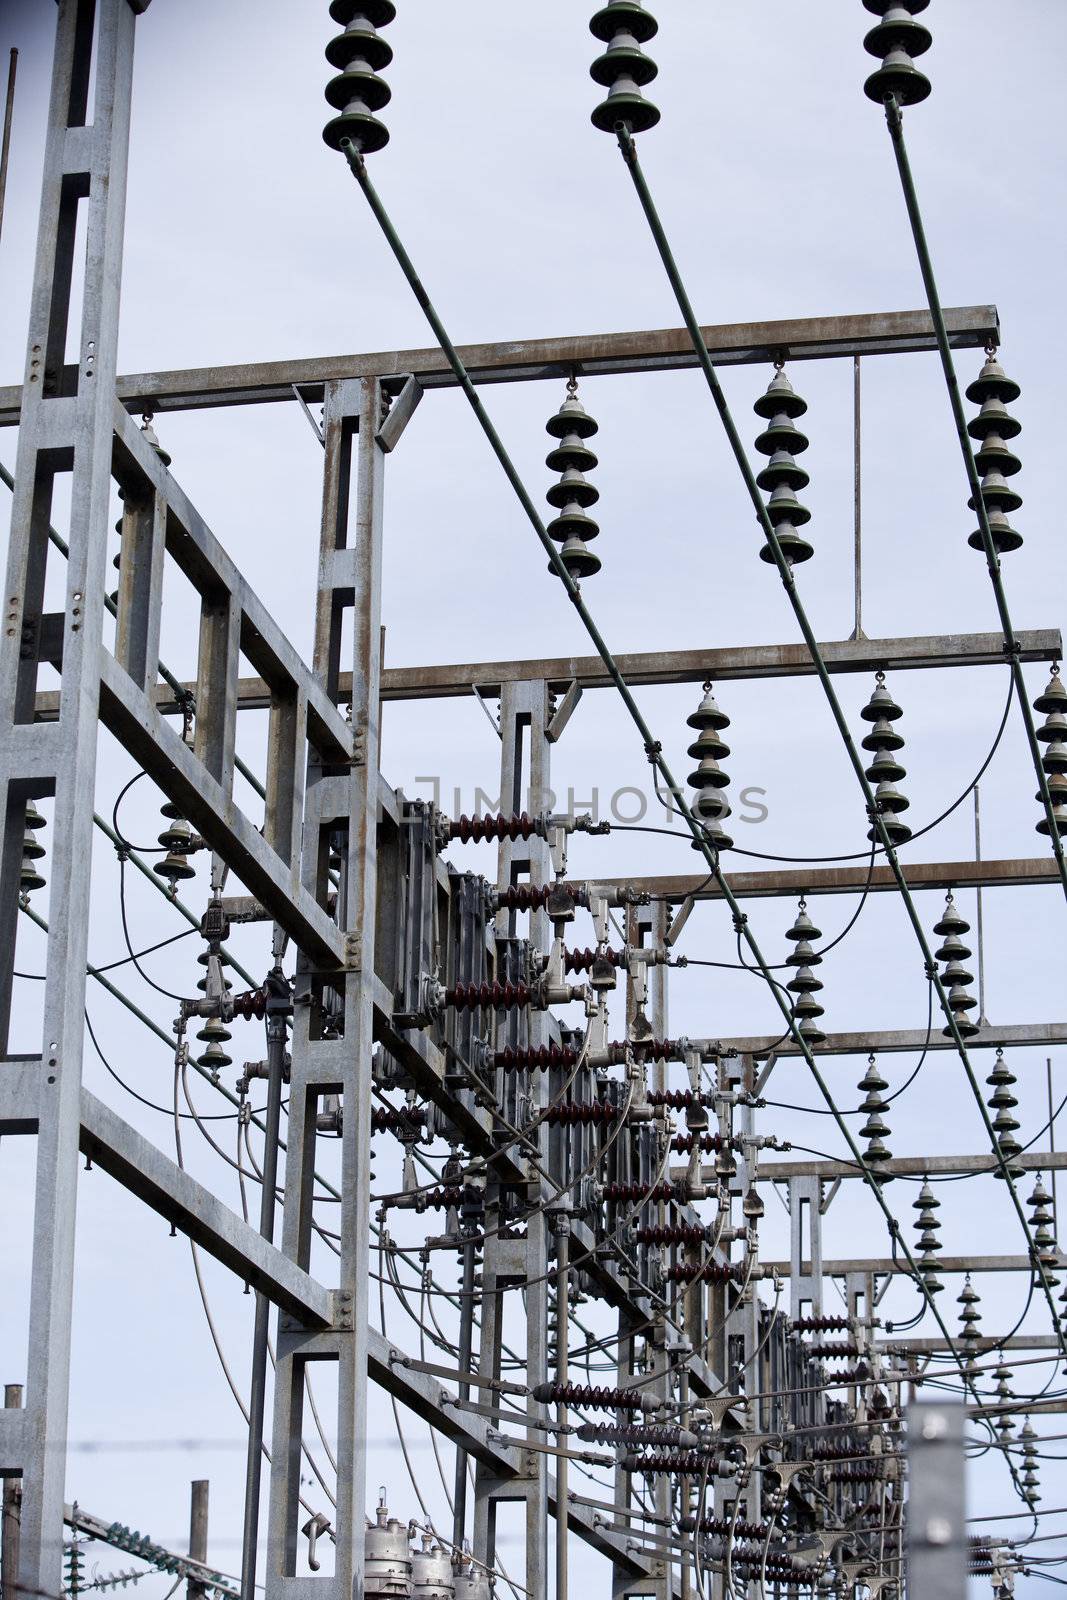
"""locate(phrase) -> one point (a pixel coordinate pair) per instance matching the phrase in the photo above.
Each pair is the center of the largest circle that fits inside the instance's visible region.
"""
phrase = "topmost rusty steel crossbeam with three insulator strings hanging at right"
(518, 361)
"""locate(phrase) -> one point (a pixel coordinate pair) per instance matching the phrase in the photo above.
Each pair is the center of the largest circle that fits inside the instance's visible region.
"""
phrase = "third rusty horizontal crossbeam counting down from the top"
(847, 881)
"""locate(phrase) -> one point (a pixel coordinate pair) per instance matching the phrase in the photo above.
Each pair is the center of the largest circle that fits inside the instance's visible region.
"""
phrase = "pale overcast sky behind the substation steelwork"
(249, 241)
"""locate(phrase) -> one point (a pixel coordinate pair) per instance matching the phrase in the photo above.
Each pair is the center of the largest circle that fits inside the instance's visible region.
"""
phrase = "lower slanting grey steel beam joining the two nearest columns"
(150, 1175)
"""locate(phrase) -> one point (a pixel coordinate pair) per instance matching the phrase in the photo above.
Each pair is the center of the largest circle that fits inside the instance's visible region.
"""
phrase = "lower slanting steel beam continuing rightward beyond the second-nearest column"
(428, 1398)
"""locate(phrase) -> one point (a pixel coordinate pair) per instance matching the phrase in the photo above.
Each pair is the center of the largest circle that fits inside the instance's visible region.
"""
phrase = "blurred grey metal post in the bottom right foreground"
(937, 1529)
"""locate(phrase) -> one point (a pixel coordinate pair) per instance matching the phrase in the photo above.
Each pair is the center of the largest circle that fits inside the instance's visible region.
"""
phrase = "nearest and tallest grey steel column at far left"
(66, 426)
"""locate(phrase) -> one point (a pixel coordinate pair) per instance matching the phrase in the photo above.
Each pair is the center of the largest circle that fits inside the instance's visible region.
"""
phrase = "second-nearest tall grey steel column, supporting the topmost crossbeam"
(334, 1018)
